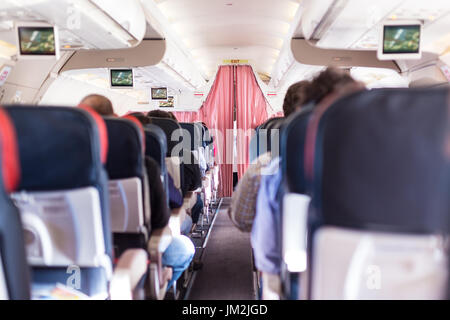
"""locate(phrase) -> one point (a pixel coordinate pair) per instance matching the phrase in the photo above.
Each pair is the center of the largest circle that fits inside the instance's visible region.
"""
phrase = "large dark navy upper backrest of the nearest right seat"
(379, 161)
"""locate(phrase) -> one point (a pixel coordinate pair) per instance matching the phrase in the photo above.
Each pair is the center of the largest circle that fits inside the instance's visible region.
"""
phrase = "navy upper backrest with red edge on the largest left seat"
(59, 147)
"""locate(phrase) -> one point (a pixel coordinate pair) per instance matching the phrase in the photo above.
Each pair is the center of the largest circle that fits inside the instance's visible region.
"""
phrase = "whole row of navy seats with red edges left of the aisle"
(79, 183)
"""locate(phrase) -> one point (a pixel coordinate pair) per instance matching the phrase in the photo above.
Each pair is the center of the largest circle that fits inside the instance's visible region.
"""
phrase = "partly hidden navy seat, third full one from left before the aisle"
(156, 148)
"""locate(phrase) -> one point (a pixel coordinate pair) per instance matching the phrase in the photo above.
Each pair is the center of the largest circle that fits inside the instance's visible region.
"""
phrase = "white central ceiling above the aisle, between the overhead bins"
(213, 31)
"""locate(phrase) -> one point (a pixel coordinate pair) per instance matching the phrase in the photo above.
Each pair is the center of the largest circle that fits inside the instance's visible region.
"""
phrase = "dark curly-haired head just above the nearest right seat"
(332, 80)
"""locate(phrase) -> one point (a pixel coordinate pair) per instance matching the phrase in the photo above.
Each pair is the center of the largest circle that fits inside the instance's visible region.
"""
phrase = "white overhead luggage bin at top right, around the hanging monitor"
(355, 24)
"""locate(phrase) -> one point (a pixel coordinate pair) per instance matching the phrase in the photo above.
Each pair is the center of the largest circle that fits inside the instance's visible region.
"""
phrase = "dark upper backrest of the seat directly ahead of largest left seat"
(126, 148)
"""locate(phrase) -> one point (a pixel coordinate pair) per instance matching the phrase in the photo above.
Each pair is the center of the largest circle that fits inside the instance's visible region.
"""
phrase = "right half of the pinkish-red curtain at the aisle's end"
(251, 111)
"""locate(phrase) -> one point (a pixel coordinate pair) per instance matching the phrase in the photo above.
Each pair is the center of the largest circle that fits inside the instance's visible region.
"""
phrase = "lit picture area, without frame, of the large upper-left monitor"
(38, 41)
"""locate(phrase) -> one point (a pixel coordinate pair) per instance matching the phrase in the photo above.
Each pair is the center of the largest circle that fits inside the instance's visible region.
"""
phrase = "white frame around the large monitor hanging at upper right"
(399, 56)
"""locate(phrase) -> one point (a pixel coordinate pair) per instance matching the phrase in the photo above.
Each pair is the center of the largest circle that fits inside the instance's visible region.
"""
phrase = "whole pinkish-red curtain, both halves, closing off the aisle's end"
(217, 113)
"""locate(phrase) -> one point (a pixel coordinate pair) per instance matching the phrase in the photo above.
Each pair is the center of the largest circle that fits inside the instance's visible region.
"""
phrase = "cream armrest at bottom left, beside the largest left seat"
(130, 269)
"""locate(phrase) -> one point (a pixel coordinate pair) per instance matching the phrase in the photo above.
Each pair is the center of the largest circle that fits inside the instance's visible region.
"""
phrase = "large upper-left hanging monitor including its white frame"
(37, 40)
